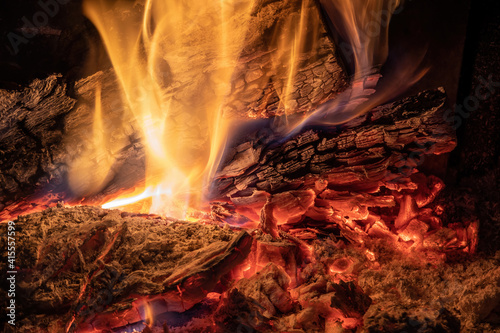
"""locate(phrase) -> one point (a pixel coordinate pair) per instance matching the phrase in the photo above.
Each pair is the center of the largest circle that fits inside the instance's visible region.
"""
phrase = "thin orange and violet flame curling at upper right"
(364, 26)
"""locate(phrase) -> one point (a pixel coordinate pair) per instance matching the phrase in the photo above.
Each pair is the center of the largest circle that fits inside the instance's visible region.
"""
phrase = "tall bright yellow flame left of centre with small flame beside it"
(174, 61)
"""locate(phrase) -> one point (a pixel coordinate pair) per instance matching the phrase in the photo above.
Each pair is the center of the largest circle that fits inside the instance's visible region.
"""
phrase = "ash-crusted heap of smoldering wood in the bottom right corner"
(392, 291)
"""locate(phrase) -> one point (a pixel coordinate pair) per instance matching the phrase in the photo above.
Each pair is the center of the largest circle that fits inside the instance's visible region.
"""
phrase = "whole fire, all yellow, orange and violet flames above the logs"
(175, 62)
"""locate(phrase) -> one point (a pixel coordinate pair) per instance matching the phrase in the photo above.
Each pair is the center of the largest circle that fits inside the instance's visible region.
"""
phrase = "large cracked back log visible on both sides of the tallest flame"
(47, 127)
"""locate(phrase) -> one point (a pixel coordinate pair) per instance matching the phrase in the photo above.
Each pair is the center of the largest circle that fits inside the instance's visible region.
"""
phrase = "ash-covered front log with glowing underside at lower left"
(89, 268)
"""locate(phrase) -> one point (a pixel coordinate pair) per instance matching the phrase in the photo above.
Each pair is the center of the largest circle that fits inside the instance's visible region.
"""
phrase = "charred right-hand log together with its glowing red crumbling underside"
(361, 178)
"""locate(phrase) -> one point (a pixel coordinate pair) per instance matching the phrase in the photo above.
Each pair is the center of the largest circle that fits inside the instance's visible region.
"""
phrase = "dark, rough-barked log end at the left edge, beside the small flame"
(31, 131)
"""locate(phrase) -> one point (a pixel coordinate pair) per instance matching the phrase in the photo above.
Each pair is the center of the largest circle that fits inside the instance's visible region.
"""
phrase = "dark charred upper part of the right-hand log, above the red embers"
(381, 148)
